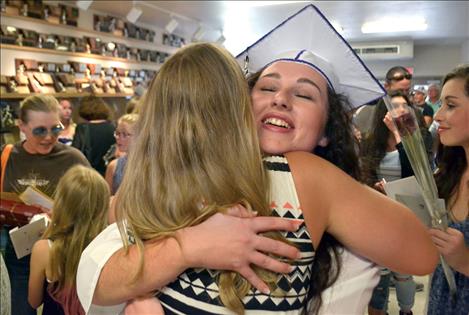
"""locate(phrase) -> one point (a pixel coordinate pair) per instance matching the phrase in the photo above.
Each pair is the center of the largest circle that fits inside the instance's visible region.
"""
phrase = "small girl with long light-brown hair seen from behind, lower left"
(79, 214)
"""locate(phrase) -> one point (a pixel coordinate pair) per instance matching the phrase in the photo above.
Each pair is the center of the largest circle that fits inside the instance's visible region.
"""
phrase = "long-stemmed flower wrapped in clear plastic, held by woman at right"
(404, 118)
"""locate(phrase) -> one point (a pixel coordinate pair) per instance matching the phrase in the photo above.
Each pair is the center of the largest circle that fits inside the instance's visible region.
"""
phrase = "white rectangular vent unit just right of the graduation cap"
(385, 50)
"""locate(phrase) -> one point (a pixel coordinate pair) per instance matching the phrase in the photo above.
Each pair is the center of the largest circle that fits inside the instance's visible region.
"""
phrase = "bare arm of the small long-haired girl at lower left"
(37, 273)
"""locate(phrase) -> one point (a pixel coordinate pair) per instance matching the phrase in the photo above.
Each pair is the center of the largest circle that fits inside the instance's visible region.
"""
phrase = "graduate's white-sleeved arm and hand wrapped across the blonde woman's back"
(222, 242)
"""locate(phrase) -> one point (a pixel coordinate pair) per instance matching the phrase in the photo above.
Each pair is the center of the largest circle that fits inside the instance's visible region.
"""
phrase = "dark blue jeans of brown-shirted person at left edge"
(18, 270)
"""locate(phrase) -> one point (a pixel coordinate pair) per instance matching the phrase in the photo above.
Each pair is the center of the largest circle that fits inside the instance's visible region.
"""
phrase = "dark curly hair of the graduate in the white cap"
(341, 151)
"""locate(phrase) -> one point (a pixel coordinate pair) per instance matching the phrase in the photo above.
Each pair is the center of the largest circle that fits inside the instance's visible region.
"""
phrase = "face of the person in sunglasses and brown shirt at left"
(40, 144)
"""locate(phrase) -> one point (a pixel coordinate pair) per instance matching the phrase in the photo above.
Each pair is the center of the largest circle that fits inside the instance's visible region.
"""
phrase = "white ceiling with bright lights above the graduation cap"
(448, 21)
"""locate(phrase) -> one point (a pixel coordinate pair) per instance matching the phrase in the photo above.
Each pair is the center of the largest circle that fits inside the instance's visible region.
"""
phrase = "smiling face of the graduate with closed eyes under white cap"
(290, 108)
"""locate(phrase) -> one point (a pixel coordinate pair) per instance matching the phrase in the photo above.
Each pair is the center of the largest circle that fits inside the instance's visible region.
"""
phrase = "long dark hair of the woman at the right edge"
(452, 160)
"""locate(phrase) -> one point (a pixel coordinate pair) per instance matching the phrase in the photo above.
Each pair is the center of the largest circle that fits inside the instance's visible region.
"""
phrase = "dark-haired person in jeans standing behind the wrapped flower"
(384, 160)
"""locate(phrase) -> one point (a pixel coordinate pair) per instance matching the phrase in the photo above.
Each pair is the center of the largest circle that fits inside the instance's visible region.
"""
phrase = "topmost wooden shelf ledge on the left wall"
(119, 39)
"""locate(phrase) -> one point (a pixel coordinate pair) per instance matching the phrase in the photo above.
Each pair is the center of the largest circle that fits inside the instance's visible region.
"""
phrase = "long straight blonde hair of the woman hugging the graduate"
(195, 153)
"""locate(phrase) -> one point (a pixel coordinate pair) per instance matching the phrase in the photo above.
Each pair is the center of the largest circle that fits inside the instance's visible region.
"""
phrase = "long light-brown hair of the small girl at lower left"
(81, 204)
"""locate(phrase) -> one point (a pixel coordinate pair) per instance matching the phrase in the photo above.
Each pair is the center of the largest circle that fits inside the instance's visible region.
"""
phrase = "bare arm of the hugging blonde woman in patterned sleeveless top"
(365, 221)
